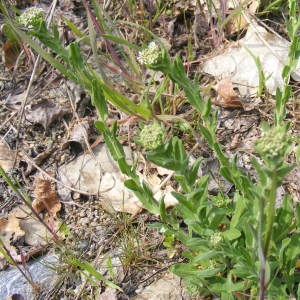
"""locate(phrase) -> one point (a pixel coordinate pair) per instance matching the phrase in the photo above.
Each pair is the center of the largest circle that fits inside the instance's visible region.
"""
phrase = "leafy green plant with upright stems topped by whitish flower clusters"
(245, 245)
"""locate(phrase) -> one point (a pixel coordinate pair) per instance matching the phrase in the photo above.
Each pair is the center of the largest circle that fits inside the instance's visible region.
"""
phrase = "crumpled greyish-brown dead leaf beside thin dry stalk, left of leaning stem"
(45, 113)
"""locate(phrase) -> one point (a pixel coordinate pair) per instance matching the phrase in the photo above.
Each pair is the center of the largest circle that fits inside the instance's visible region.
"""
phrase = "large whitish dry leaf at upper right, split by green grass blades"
(238, 65)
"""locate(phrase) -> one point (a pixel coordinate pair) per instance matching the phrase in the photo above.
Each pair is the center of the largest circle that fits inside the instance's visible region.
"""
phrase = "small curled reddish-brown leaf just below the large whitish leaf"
(227, 96)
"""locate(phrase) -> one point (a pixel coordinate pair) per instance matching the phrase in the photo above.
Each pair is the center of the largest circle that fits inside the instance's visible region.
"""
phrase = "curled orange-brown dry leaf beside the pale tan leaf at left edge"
(45, 197)
